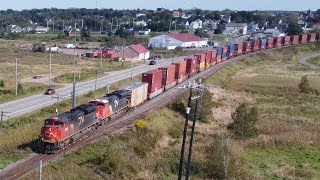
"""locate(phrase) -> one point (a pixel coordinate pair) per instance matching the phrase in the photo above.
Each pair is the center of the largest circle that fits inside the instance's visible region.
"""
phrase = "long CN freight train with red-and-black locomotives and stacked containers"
(59, 131)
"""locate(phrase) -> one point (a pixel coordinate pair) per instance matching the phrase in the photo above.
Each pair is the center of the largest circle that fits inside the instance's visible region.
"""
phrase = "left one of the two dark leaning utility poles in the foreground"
(185, 133)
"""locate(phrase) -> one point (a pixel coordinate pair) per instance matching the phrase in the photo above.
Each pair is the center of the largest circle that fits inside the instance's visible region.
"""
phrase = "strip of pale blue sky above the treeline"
(297, 5)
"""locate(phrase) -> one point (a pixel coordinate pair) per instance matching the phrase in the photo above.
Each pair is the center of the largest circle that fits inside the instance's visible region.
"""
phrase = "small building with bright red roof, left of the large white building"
(134, 53)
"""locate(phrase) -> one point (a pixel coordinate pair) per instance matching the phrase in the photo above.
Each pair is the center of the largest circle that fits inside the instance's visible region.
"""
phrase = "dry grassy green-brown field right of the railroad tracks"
(287, 147)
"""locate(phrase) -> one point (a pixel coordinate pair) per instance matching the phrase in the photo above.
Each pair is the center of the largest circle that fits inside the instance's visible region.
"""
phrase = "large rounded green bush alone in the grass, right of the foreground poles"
(244, 121)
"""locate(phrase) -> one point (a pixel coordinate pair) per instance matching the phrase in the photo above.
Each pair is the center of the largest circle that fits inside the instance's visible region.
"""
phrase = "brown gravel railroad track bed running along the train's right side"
(117, 125)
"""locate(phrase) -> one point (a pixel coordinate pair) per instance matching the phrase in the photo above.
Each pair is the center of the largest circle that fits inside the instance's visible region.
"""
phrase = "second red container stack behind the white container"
(168, 76)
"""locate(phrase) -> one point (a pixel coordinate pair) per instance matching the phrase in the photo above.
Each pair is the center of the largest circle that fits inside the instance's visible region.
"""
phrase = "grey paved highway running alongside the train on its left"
(28, 104)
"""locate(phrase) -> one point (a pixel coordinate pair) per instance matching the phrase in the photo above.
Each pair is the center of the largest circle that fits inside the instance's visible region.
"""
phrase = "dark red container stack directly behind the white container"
(154, 80)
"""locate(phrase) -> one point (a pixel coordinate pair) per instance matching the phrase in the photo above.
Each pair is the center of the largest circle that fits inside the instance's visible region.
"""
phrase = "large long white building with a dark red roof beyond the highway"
(177, 40)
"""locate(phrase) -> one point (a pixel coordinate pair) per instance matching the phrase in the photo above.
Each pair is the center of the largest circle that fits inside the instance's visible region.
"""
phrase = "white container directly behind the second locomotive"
(137, 93)
